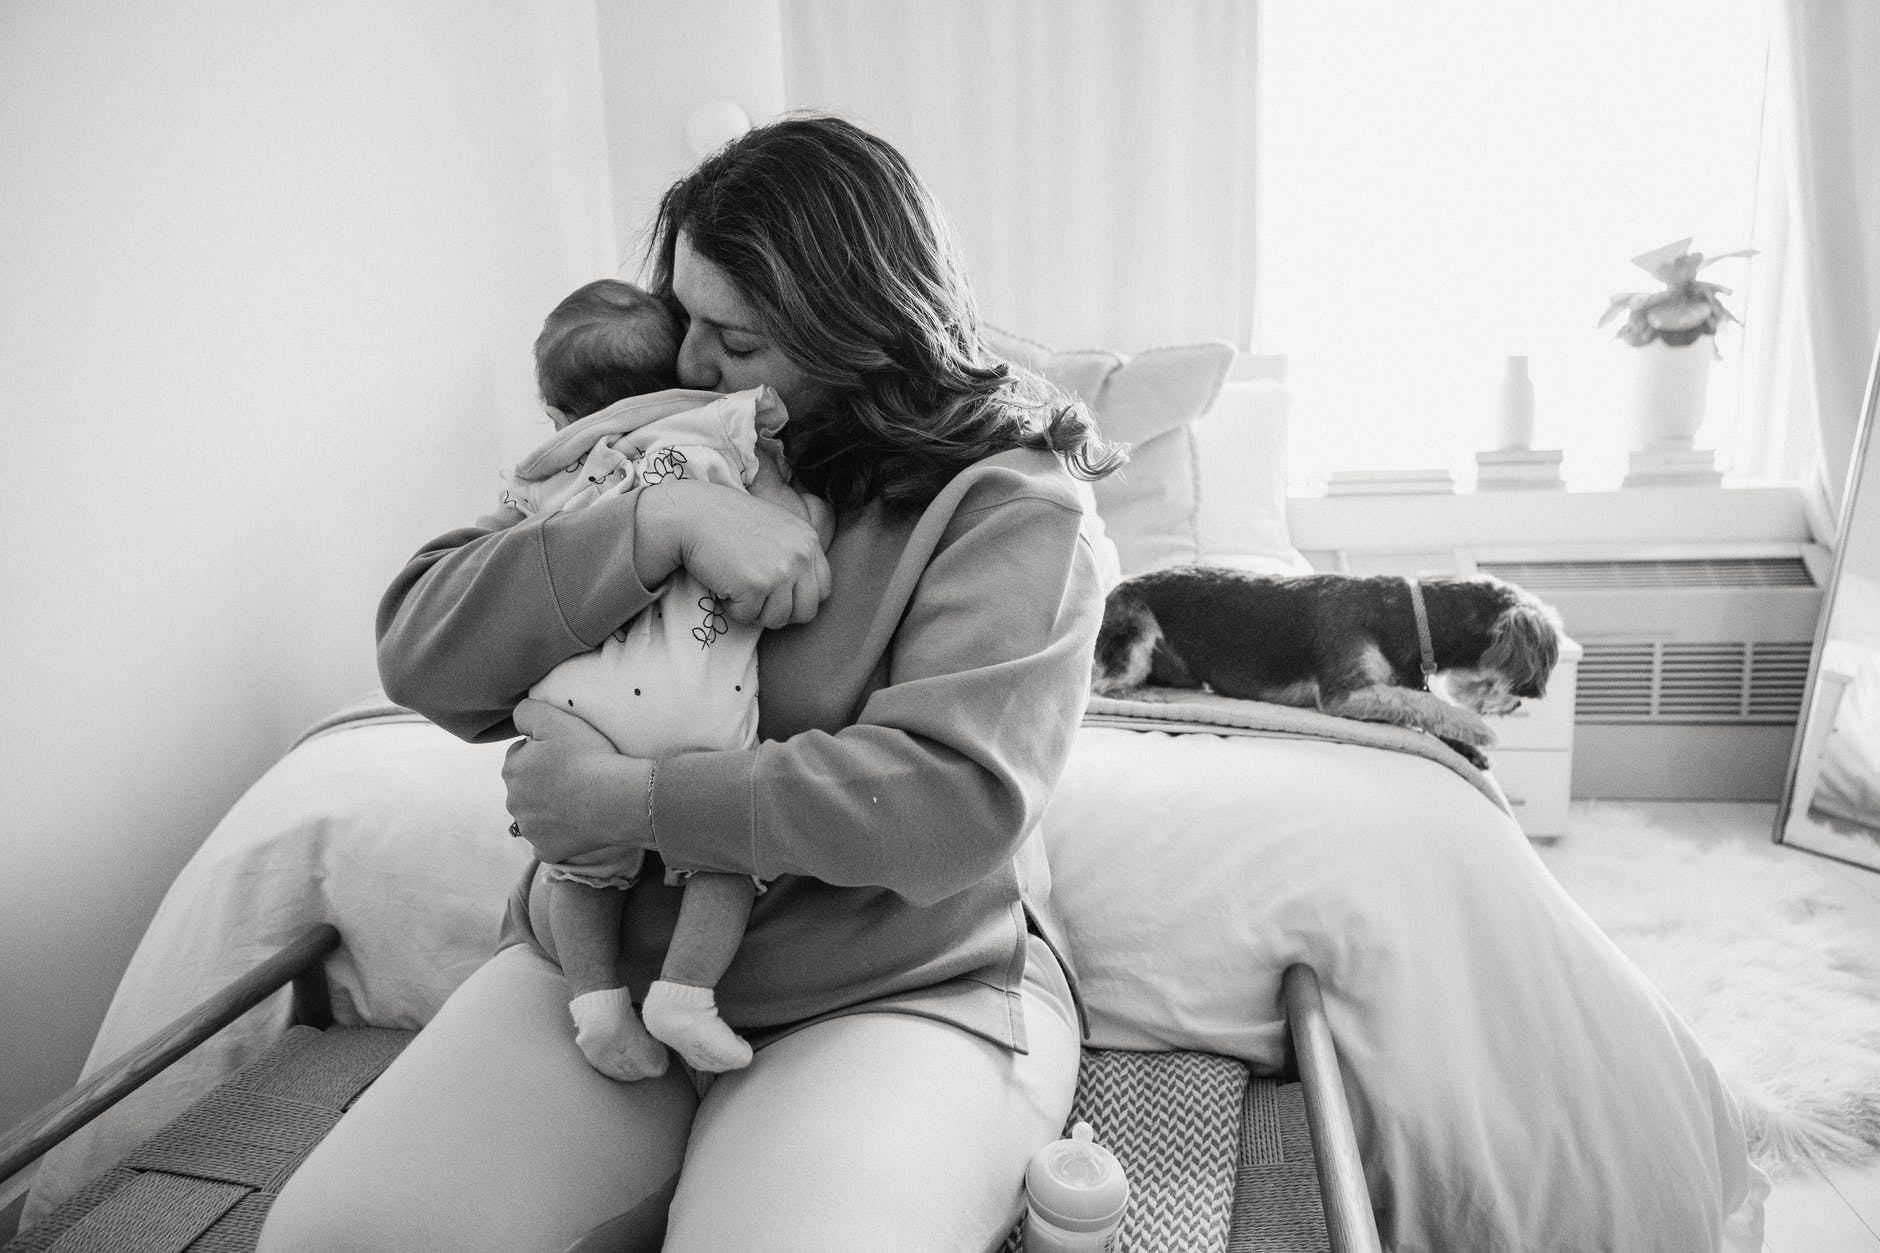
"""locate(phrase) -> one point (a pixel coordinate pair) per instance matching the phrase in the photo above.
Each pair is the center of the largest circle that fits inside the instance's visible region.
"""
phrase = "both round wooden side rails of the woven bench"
(1341, 1181)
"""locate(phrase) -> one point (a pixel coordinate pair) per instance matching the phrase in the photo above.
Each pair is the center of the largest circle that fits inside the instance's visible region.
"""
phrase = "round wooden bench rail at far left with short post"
(300, 964)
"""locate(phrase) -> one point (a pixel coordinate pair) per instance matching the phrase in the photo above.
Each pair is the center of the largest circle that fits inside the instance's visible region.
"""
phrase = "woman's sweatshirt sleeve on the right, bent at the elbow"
(952, 763)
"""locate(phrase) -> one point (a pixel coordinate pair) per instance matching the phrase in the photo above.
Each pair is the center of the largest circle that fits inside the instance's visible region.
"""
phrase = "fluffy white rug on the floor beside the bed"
(1759, 955)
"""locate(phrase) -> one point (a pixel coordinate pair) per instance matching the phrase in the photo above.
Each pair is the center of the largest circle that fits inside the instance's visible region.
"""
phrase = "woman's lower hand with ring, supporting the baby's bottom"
(572, 797)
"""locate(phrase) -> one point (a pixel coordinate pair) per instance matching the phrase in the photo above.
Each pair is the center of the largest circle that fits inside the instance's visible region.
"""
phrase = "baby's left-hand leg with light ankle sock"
(587, 942)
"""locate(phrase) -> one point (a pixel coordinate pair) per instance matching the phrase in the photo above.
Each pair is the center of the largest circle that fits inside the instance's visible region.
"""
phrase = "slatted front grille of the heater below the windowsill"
(1668, 682)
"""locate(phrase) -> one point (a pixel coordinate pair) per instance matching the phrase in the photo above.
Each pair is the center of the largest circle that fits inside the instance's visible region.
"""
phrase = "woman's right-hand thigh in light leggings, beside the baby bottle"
(877, 1132)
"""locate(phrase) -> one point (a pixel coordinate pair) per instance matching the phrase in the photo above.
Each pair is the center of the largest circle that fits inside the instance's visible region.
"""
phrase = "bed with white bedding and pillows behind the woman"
(1512, 1081)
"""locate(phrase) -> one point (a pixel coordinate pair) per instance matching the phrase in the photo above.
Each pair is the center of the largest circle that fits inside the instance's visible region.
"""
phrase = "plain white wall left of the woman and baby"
(268, 281)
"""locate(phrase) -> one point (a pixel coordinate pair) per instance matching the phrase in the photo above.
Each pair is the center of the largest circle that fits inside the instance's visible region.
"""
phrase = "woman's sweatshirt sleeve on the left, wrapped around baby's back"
(478, 616)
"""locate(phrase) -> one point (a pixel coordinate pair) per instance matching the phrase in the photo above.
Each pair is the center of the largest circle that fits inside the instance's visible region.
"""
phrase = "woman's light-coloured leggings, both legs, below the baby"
(873, 1132)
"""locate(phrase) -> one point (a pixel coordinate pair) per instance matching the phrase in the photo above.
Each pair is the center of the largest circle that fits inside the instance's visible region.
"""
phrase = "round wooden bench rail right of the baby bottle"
(1341, 1177)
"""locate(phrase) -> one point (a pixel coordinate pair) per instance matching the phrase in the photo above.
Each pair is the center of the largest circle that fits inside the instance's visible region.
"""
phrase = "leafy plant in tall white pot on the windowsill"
(1674, 340)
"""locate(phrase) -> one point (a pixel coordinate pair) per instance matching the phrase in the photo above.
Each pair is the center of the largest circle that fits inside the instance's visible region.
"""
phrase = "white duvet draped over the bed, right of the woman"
(1516, 1085)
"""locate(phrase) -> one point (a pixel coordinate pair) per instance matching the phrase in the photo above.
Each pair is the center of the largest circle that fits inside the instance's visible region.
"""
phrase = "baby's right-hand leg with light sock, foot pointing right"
(681, 1007)
